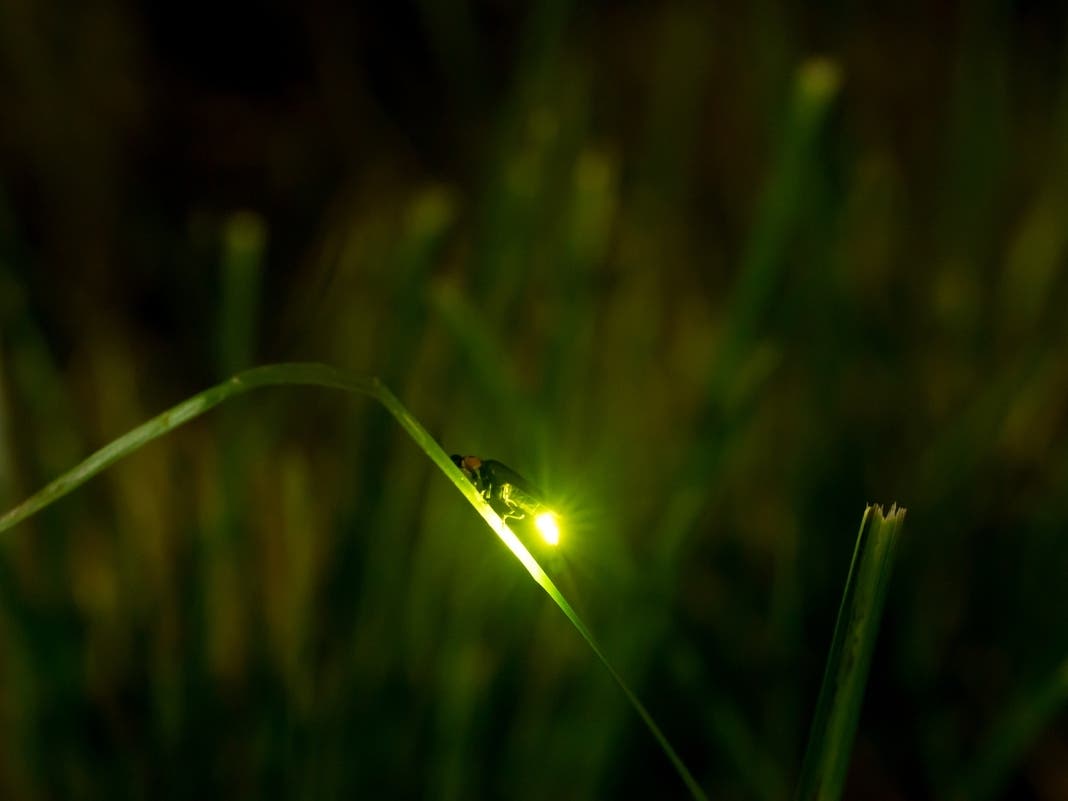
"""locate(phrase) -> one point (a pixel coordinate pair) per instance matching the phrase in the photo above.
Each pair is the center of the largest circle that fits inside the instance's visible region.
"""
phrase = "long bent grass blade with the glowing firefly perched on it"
(322, 375)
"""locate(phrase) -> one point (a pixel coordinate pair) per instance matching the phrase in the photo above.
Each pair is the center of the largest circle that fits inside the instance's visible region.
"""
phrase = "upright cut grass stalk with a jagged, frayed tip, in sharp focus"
(839, 708)
